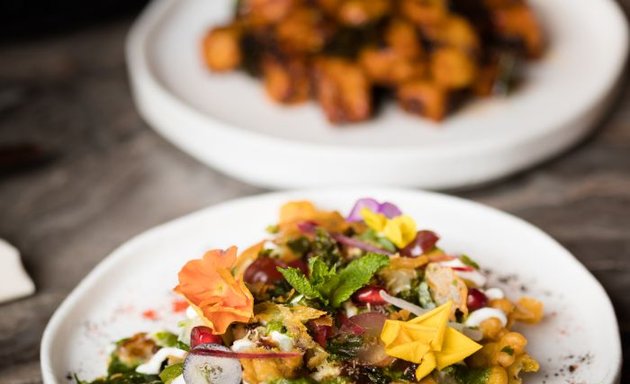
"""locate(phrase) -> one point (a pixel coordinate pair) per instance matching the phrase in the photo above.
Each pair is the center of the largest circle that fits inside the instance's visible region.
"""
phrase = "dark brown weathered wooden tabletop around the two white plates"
(106, 177)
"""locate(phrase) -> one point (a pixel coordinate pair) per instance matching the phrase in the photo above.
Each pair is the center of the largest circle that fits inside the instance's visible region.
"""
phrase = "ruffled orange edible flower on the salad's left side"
(211, 289)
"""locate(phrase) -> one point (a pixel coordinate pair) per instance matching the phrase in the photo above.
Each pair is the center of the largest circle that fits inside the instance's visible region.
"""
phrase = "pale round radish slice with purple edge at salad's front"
(205, 369)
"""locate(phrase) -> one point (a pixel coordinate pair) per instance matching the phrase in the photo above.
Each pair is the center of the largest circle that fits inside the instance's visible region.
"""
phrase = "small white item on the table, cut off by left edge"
(14, 282)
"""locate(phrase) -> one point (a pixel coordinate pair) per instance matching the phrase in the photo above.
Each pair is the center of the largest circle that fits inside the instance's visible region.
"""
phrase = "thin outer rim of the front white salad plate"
(135, 241)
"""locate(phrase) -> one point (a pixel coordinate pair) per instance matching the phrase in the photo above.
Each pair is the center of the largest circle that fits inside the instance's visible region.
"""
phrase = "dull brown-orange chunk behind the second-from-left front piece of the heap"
(303, 30)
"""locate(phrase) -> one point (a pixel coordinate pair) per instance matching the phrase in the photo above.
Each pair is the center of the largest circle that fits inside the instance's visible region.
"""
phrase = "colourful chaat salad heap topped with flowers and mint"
(366, 298)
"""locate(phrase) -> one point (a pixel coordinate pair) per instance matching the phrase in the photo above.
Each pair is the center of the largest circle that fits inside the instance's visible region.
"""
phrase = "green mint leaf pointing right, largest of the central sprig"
(355, 275)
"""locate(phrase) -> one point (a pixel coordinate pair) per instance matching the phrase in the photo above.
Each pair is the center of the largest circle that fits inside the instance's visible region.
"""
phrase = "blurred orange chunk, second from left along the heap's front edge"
(286, 79)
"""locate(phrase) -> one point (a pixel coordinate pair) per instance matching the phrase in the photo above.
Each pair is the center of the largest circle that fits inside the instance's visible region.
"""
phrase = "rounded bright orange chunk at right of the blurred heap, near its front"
(452, 69)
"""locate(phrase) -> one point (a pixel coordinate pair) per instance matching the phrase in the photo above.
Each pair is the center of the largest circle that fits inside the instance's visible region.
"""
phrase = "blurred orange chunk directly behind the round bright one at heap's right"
(453, 31)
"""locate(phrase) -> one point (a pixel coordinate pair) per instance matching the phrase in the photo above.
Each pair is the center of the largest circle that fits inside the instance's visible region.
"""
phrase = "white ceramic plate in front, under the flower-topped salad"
(580, 328)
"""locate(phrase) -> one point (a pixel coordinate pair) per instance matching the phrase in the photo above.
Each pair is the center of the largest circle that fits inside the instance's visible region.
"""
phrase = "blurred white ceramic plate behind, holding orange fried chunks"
(226, 120)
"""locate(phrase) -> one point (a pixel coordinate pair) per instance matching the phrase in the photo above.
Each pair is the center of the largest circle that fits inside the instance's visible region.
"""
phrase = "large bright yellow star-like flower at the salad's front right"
(427, 340)
